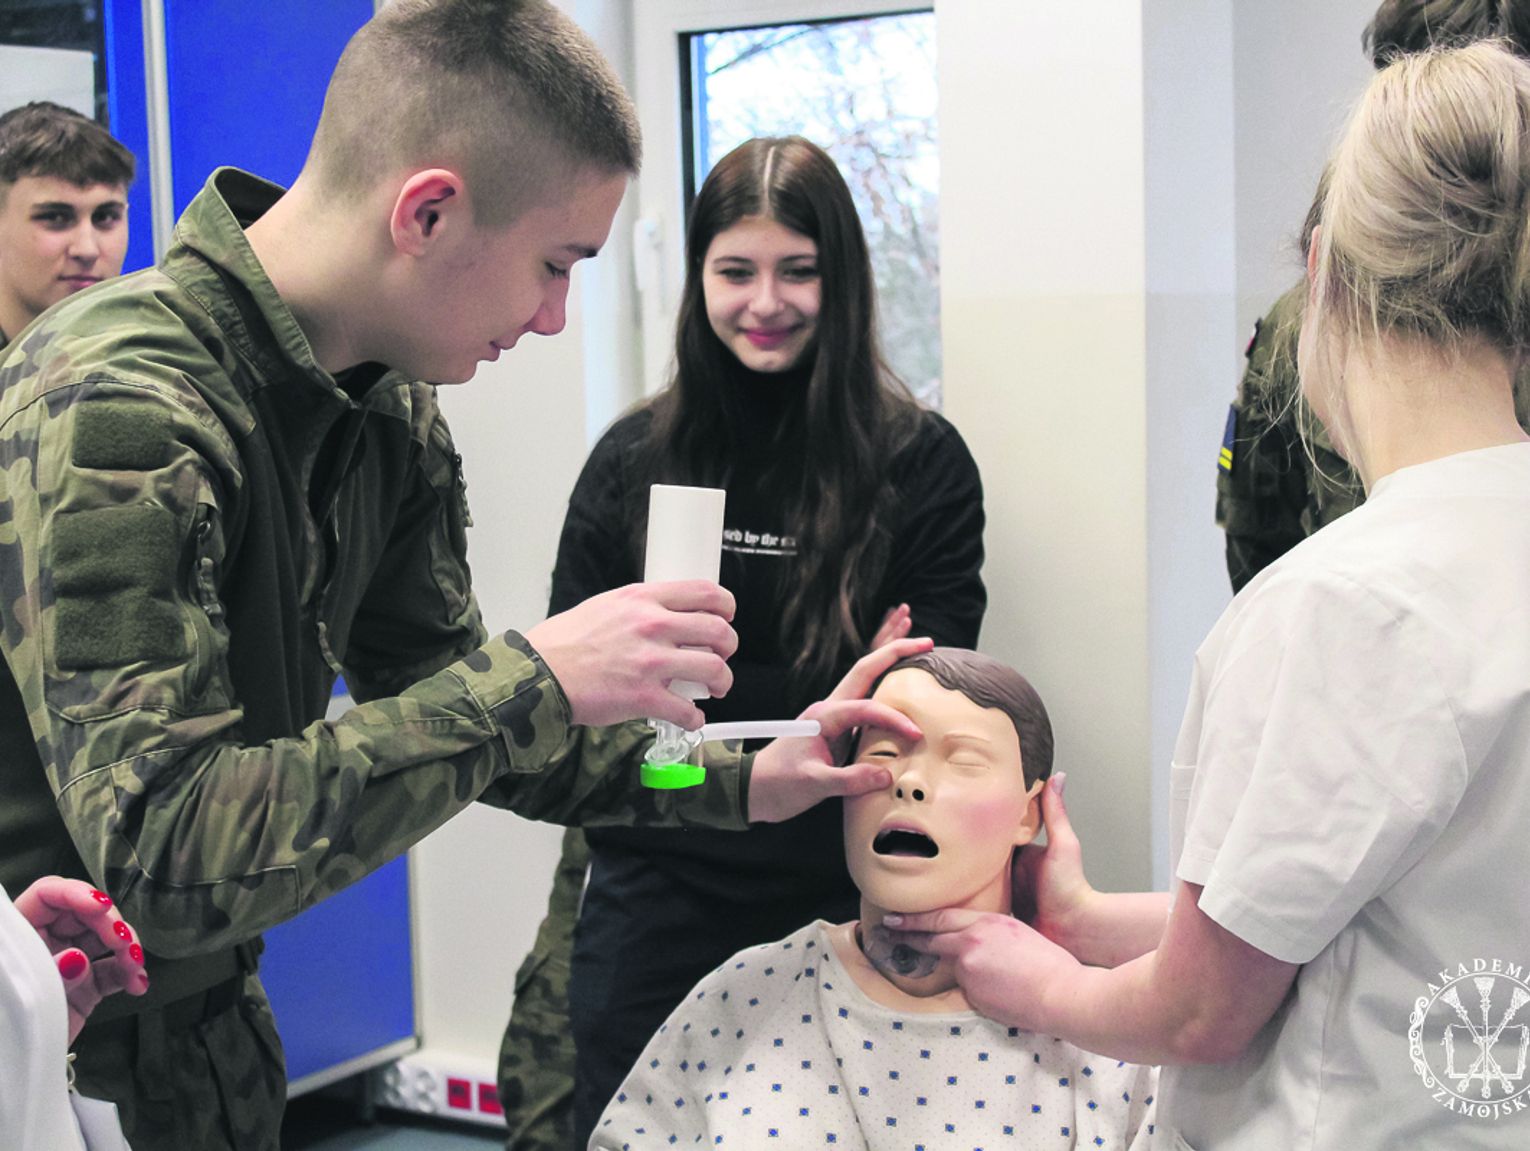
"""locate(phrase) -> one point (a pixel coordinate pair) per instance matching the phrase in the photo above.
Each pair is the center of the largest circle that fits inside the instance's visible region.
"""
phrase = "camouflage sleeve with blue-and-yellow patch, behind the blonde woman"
(1261, 475)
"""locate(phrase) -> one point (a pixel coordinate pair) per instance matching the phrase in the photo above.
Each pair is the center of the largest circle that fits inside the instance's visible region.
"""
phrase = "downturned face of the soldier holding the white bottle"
(490, 287)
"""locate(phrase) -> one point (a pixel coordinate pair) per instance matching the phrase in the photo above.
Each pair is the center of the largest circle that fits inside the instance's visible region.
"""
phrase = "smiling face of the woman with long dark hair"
(761, 282)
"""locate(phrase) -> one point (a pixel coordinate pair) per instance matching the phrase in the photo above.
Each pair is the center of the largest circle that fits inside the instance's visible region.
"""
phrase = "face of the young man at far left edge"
(57, 238)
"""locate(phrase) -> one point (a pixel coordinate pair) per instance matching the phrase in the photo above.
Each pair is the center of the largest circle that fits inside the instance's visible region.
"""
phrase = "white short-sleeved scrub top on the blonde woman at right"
(1353, 792)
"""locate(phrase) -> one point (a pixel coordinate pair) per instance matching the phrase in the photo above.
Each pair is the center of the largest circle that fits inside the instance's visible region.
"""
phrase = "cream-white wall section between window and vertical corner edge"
(1044, 327)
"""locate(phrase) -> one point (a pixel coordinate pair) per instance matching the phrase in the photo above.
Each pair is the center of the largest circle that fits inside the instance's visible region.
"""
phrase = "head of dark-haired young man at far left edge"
(63, 209)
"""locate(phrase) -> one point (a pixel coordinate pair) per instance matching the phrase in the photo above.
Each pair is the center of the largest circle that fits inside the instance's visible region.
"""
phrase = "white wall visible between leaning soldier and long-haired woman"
(524, 428)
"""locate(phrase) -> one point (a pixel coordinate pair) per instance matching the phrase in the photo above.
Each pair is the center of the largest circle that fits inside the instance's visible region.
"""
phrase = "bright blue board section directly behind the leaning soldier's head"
(247, 83)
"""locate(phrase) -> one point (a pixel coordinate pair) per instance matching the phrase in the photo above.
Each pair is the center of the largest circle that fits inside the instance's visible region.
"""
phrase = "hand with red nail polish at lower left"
(93, 947)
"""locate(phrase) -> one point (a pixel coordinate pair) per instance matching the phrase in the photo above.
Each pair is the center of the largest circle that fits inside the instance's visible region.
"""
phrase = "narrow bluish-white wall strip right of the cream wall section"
(1191, 354)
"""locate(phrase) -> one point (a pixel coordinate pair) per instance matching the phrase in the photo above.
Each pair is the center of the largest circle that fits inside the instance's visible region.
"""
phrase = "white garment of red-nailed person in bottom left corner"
(34, 1039)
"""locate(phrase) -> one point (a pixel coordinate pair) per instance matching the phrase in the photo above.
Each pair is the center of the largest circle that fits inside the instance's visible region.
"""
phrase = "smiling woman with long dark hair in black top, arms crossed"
(853, 517)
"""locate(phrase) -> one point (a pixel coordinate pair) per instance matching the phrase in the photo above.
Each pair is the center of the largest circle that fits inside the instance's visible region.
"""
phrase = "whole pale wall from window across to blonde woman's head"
(1119, 189)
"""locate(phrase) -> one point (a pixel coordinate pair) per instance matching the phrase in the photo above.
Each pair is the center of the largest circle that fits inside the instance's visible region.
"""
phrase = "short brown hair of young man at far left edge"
(48, 140)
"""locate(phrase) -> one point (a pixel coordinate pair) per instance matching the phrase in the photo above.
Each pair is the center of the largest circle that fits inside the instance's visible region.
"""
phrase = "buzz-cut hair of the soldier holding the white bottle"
(510, 94)
